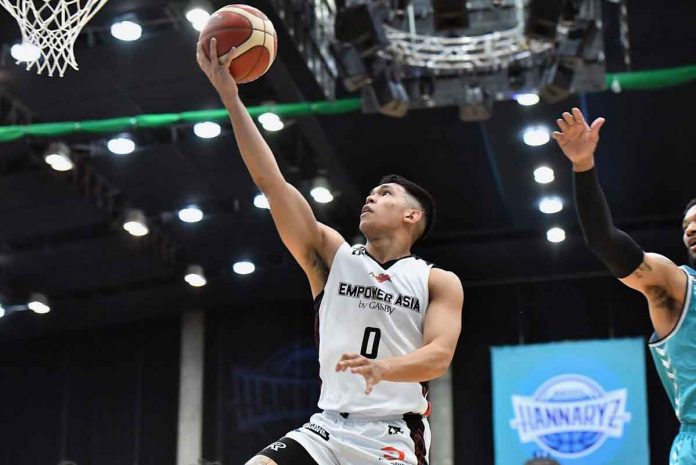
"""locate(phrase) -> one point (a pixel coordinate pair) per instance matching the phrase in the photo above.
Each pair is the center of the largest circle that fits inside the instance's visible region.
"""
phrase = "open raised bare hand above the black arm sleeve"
(578, 140)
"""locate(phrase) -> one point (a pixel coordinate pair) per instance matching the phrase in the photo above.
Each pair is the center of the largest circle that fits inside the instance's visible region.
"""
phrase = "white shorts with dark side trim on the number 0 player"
(333, 440)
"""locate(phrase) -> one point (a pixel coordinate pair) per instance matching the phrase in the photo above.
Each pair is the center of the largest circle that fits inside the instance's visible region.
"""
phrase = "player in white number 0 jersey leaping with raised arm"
(387, 320)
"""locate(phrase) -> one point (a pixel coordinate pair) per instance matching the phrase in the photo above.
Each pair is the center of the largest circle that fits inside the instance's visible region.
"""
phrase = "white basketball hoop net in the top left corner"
(53, 27)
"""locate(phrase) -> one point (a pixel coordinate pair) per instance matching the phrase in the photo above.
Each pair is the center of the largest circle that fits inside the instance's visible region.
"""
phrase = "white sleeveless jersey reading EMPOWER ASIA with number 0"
(376, 312)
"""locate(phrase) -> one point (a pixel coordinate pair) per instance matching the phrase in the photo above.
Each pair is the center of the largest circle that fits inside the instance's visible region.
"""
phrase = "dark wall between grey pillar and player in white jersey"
(261, 376)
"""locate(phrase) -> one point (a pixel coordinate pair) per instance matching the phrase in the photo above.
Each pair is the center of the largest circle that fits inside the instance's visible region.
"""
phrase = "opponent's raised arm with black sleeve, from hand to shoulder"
(660, 280)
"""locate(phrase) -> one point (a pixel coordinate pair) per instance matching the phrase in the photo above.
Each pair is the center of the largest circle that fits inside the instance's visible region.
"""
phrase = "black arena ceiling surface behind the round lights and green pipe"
(57, 237)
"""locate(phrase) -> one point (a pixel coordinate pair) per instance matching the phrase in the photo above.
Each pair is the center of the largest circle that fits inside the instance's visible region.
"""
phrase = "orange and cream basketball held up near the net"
(247, 29)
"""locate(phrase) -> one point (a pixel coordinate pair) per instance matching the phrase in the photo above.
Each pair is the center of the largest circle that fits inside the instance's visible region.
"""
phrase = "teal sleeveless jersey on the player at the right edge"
(675, 360)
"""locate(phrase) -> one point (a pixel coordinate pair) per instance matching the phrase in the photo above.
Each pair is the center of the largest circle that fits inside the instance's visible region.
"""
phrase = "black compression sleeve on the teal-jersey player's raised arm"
(614, 247)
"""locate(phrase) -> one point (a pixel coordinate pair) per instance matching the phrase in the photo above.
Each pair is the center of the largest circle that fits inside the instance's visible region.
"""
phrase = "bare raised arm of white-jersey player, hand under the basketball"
(311, 243)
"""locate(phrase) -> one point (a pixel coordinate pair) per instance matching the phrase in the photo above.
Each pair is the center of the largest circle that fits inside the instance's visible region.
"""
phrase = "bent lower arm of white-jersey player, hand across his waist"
(441, 329)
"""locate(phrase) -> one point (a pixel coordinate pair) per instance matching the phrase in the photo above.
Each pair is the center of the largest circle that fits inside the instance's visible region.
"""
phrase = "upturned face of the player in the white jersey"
(384, 209)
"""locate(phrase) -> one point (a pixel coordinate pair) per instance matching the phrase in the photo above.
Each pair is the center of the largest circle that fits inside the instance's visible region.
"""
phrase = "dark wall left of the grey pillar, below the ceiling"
(104, 396)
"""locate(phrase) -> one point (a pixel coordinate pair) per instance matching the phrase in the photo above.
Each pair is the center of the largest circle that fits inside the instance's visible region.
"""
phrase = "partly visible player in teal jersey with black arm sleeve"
(669, 289)
